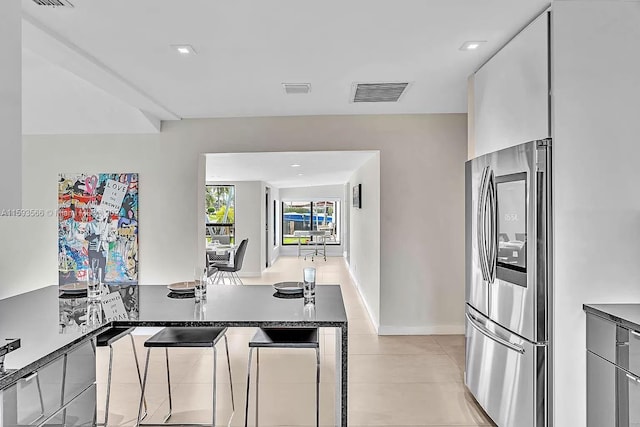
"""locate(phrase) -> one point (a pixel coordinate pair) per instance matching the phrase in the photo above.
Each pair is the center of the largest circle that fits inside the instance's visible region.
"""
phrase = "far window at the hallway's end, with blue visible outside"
(310, 215)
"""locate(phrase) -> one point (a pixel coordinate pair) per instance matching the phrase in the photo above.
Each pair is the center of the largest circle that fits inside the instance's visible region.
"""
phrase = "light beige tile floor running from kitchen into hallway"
(393, 380)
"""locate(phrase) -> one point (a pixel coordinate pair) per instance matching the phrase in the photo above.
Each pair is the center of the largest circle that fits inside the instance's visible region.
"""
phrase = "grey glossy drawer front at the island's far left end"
(34, 397)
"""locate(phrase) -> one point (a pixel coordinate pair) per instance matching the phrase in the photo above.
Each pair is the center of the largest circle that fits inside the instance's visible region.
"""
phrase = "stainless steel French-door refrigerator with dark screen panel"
(508, 284)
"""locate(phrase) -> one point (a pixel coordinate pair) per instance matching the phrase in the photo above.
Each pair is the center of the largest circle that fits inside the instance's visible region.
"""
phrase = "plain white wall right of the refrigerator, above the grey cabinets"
(596, 81)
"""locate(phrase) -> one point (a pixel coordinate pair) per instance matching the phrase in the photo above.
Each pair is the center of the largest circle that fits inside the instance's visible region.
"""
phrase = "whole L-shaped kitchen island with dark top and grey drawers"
(56, 364)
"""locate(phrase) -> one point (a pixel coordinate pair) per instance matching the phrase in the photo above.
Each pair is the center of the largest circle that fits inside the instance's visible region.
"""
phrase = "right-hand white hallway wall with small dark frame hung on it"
(364, 235)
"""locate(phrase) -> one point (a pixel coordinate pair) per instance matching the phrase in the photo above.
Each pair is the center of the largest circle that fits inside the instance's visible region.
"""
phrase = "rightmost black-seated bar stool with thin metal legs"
(282, 338)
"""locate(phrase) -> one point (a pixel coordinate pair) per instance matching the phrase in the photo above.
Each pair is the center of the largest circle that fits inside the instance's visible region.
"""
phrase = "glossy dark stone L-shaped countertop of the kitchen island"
(37, 318)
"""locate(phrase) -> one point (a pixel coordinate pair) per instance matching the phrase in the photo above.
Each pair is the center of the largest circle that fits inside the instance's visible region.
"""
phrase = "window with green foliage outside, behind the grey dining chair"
(220, 213)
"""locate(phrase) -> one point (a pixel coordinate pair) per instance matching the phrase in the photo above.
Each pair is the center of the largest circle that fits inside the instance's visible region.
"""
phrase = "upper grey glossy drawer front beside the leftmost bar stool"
(80, 371)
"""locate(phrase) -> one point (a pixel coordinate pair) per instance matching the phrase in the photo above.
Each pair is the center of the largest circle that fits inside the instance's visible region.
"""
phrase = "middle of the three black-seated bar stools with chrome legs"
(188, 337)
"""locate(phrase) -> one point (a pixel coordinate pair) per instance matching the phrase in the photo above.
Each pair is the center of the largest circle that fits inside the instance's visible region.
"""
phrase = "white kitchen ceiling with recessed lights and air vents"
(246, 50)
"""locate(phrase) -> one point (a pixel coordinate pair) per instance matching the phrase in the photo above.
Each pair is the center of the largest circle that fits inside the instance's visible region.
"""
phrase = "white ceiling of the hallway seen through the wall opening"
(316, 167)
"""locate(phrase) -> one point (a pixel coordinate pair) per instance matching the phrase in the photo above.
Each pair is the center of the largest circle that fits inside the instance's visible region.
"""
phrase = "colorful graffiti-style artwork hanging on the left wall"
(98, 227)
